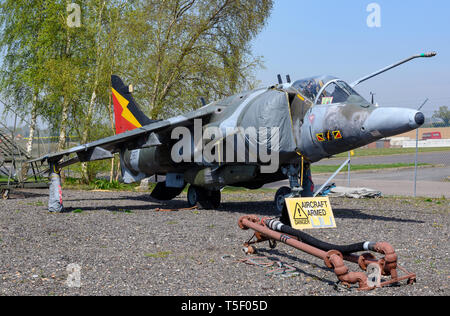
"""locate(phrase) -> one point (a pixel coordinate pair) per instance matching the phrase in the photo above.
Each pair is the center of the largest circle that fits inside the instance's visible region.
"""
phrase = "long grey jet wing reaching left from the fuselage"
(142, 137)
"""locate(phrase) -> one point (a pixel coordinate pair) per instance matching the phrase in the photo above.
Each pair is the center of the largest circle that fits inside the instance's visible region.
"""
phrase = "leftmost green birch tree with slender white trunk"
(23, 58)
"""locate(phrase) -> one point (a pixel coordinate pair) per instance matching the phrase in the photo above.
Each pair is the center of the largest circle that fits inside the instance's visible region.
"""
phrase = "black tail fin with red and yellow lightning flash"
(128, 115)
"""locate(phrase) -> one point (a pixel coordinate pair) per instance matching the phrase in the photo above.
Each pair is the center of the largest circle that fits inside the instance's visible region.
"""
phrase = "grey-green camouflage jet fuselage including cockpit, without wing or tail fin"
(313, 122)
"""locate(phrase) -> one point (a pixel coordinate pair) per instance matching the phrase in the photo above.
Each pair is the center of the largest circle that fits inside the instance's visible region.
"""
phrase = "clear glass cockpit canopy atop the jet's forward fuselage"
(328, 90)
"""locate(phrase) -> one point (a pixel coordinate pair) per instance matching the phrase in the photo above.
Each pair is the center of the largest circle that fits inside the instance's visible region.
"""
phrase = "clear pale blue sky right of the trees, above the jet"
(308, 38)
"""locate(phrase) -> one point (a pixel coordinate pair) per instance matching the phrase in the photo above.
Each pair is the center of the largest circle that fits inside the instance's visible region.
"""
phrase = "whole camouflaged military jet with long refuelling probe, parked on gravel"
(305, 120)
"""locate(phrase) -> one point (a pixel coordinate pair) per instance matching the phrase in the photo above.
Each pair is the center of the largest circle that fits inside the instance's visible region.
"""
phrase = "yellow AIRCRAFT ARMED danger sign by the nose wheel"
(309, 213)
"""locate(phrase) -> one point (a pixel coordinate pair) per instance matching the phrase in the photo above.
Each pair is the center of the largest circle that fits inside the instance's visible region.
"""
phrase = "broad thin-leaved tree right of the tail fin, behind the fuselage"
(183, 49)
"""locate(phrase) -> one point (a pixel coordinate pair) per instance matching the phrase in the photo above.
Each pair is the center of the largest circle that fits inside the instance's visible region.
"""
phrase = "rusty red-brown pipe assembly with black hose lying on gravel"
(333, 255)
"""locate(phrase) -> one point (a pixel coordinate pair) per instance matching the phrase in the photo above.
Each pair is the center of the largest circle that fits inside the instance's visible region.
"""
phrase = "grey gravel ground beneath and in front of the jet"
(125, 247)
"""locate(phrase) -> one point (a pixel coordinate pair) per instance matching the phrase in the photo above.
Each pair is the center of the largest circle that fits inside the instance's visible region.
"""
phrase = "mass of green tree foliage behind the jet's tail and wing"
(173, 51)
